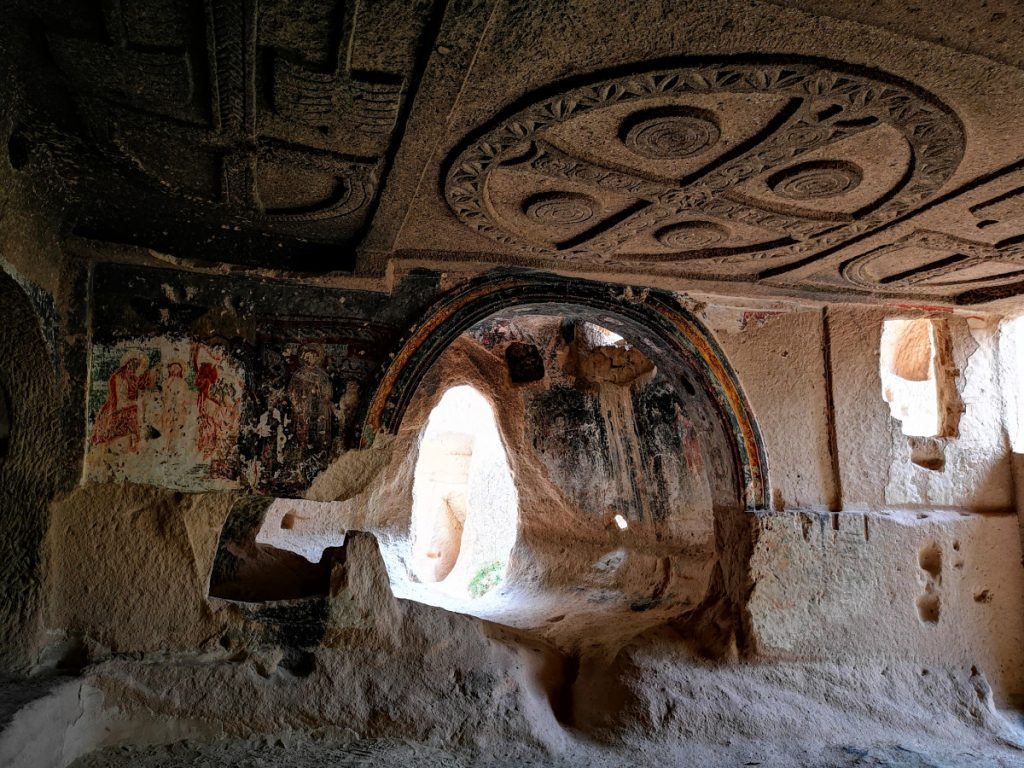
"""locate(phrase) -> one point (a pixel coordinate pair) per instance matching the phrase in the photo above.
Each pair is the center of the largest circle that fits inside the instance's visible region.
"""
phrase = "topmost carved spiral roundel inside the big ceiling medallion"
(670, 134)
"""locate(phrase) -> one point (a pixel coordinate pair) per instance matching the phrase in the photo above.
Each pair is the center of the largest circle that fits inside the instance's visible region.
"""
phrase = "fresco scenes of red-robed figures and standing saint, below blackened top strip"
(221, 414)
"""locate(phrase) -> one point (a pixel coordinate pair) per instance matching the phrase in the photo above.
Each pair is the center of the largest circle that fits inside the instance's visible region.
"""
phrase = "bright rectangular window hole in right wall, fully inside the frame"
(908, 364)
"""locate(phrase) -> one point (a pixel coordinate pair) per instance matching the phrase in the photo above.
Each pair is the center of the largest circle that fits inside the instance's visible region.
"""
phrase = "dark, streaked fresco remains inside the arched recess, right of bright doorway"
(614, 433)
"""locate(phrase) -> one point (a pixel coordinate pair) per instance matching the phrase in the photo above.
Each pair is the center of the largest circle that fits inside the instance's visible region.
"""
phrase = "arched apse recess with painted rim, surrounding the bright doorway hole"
(634, 454)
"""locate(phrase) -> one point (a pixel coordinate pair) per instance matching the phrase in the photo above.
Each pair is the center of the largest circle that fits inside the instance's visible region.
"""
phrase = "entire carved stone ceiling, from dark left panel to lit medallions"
(789, 149)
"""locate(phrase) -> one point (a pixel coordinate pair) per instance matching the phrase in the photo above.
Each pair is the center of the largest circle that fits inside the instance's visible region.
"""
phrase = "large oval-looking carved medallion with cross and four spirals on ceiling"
(732, 165)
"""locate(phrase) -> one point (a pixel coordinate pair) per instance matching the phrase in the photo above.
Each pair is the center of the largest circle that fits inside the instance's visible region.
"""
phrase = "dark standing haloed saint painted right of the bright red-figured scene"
(312, 396)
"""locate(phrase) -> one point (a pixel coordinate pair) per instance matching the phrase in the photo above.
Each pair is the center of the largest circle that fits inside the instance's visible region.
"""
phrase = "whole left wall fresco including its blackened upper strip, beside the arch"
(200, 389)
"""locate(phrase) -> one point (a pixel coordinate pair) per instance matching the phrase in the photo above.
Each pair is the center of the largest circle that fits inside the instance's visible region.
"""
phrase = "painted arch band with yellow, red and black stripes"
(658, 315)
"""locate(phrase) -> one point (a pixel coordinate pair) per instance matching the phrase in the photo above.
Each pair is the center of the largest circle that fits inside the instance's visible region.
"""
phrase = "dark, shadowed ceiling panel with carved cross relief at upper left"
(273, 119)
